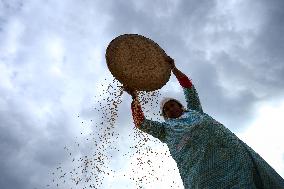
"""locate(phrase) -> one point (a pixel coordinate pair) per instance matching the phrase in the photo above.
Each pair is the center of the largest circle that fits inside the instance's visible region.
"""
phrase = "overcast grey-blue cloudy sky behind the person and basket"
(52, 64)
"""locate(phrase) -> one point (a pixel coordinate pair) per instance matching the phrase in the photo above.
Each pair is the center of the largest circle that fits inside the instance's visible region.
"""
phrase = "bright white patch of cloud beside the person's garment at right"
(266, 132)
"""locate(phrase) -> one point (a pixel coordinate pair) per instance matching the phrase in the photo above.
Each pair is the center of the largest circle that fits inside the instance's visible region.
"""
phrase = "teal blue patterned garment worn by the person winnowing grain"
(208, 154)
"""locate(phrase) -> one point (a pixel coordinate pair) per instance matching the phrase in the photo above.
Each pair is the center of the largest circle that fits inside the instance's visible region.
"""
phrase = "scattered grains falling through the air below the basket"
(93, 169)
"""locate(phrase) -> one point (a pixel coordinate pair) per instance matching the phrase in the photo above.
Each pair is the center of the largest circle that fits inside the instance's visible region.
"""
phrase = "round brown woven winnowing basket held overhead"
(138, 62)
